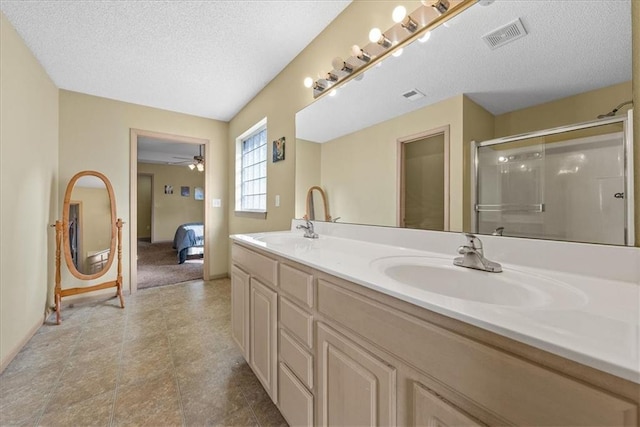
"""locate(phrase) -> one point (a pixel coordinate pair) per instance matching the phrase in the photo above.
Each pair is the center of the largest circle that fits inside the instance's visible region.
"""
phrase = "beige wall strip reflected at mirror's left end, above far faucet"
(307, 173)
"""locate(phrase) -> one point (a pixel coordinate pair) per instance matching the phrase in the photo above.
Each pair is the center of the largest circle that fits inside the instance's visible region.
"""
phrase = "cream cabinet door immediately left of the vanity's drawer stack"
(263, 336)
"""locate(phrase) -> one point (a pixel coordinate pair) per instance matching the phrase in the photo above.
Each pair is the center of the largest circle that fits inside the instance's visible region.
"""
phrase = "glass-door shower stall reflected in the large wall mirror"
(572, 183)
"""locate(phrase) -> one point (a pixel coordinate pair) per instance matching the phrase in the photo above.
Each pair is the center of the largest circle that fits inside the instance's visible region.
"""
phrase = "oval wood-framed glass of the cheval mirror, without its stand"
(89, 225)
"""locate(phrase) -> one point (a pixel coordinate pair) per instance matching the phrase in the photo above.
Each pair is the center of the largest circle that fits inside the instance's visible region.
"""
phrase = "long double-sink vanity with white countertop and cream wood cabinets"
(339, 333)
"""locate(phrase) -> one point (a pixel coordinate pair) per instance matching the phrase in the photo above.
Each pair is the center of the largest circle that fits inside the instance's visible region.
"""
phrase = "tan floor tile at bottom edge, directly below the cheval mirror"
(95, 411)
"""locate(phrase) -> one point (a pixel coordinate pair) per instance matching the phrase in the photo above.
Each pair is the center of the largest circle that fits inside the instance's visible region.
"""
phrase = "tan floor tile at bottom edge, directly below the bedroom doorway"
(152, 403)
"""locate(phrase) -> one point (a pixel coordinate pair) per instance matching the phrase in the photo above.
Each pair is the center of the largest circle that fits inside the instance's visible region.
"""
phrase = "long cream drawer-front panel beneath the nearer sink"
(519, 391)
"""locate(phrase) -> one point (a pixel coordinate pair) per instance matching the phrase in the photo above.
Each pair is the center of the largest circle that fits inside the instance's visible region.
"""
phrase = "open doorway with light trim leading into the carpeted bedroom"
(166, 193)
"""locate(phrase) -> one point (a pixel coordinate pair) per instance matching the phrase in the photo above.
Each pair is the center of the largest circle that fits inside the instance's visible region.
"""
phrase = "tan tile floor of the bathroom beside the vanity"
(167, 359)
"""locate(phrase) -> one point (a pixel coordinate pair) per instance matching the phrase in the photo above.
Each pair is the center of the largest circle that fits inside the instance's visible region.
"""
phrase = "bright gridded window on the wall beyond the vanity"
(251, 170)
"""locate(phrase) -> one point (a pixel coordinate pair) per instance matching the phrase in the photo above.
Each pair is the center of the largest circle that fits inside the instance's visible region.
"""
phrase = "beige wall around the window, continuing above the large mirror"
(285, 95)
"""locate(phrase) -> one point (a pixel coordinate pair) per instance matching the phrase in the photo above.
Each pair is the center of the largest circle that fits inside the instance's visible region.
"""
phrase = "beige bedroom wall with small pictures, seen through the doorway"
(171, 210)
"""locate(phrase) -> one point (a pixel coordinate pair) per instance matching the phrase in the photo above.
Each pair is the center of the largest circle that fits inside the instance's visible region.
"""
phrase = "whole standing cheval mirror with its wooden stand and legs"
(89, 235)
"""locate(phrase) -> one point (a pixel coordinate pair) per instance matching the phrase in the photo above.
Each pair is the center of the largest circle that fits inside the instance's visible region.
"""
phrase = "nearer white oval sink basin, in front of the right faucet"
(509, 288)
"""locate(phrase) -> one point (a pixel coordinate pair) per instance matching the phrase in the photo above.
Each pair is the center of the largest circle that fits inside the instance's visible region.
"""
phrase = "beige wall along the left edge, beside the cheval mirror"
(29, 196)
